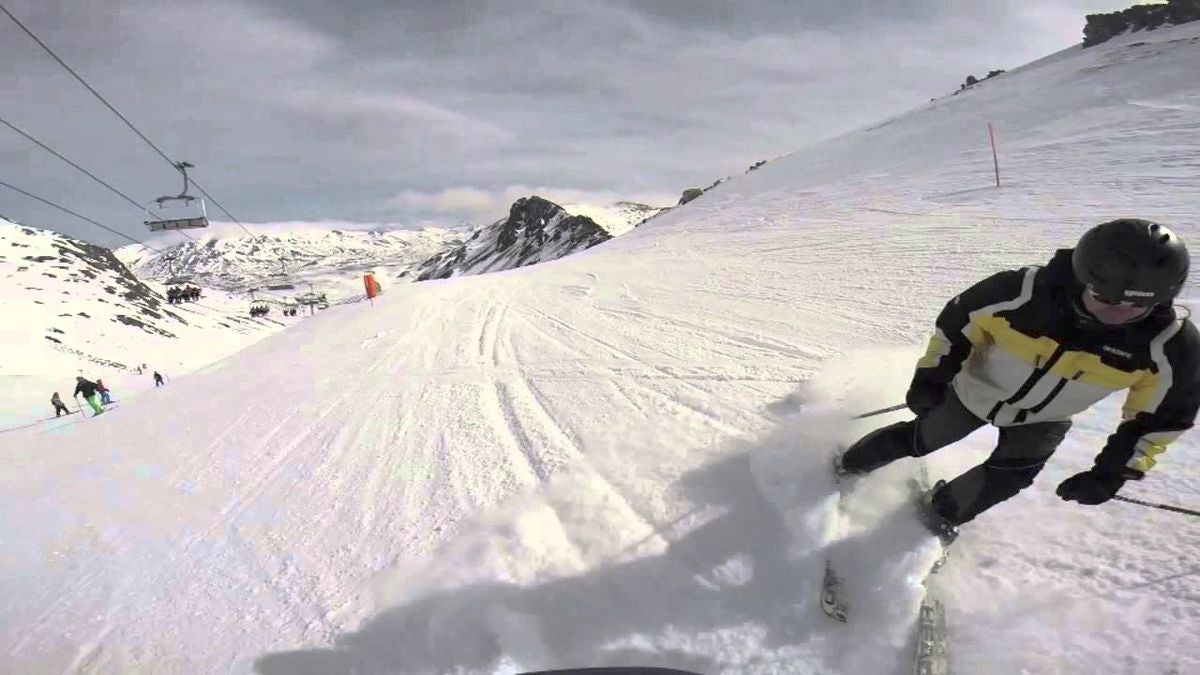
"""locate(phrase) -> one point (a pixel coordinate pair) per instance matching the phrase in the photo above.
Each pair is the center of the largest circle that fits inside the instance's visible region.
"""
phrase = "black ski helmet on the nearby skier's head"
(1131, 261)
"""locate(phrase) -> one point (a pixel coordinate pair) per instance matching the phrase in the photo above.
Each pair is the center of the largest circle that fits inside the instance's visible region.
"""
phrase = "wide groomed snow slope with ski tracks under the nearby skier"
(620, 457)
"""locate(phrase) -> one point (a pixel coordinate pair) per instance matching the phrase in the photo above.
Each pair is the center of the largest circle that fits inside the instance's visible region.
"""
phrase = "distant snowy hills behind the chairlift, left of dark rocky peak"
(332, 260)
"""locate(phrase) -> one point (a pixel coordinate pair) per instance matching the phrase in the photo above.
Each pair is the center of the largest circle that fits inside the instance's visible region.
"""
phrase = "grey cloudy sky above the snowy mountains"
(443, 112)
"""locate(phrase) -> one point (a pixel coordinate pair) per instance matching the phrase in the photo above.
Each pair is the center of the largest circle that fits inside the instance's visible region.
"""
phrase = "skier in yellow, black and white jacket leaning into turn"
(1025, 350)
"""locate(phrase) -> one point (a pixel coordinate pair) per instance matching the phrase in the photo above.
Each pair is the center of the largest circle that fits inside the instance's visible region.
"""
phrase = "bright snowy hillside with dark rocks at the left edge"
(73, 308)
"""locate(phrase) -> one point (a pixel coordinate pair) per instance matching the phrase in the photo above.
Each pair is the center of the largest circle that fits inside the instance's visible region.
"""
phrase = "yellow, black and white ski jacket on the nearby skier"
(1019, 349)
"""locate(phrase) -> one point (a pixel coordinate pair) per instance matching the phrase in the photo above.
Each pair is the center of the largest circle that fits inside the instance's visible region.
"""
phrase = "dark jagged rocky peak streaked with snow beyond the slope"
(536, 231)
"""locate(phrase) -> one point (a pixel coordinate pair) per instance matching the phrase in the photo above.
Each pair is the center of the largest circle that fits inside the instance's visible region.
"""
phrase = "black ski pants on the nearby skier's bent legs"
(1019, 456)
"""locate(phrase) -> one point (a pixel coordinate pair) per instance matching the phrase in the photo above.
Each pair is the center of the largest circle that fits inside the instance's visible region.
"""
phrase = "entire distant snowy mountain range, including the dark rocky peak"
(333, 260)
